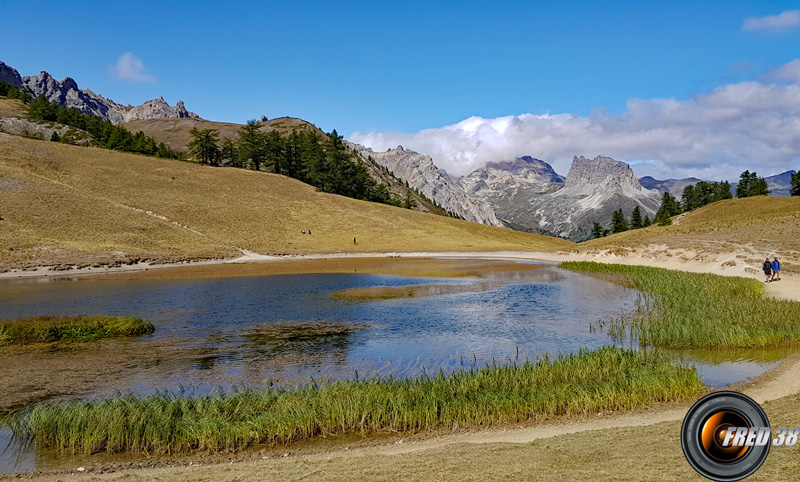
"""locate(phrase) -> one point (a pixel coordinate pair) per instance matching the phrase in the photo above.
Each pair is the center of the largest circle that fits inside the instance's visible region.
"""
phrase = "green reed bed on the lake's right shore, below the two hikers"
(684, 309)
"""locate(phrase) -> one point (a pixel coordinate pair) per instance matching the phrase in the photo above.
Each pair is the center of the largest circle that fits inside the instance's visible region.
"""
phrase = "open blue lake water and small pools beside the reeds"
(216, 328)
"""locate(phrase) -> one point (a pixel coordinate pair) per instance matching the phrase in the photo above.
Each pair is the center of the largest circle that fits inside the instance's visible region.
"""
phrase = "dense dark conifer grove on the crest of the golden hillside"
(326, 163)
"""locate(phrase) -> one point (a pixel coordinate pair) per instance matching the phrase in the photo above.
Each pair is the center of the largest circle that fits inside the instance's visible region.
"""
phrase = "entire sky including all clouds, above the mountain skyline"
(676, 91)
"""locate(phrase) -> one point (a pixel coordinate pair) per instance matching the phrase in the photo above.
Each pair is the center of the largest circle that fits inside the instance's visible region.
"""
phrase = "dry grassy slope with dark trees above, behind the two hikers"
(748, 229)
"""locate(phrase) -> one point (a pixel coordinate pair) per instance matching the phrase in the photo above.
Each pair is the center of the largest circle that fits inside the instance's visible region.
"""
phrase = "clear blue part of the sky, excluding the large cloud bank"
(391, 68)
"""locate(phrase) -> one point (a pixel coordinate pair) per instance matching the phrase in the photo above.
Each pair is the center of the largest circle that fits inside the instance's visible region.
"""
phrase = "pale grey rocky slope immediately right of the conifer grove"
(422, 174)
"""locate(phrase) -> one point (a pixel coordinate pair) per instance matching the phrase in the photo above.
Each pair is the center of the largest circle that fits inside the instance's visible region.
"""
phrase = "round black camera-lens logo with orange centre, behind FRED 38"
(726, 436)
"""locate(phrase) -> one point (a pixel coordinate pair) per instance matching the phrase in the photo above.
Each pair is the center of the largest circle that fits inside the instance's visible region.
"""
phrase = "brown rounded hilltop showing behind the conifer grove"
(175, 132)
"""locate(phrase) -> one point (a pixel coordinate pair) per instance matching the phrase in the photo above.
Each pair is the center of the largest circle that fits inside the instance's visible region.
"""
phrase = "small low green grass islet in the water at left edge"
(70, 329)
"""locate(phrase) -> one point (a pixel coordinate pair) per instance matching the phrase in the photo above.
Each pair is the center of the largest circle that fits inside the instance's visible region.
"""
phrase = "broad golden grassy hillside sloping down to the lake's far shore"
(77, 205)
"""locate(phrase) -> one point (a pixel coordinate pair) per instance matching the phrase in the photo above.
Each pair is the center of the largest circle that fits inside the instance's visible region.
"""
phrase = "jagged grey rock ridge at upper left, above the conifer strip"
(66, 92)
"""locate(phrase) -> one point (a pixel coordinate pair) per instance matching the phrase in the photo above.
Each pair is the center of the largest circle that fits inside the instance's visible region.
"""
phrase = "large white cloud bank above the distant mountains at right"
(748, 125)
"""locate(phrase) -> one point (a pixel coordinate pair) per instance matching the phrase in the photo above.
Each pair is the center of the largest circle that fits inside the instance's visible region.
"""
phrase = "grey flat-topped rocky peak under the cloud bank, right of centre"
(593, 190)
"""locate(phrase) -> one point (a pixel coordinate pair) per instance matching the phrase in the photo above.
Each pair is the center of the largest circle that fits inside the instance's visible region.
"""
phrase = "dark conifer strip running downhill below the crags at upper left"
(103, 132)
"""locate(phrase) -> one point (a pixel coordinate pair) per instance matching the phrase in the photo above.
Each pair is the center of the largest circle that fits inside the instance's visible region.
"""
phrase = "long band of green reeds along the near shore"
(586, 382)
